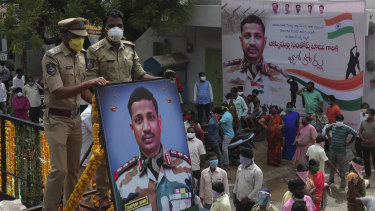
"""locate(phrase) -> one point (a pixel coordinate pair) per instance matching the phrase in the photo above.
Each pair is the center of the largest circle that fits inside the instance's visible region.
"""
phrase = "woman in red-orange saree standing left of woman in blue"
(273, 123)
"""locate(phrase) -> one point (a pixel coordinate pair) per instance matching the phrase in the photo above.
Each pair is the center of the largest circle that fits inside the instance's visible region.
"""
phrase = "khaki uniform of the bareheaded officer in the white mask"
(115, 66)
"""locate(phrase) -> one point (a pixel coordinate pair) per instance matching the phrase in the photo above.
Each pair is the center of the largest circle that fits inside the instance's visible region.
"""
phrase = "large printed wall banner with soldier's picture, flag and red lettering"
(277, 47)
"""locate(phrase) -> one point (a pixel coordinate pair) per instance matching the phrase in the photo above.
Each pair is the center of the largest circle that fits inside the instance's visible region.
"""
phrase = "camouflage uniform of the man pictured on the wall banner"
(266, 78)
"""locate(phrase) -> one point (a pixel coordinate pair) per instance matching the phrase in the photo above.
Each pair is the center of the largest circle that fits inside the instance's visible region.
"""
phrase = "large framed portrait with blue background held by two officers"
(146, 146)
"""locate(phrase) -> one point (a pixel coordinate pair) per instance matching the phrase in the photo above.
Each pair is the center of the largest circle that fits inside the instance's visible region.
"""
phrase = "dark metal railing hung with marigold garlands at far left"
(27, 178)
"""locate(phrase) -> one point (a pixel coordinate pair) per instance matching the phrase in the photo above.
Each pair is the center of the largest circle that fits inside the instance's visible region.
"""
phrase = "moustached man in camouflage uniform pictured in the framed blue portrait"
(157, 178)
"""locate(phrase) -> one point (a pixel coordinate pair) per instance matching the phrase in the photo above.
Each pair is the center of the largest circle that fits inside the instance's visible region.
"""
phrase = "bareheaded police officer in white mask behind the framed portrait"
(116, 60)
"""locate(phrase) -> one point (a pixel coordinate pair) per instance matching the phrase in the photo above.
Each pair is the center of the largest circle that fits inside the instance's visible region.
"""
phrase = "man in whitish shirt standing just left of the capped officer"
(31, 91)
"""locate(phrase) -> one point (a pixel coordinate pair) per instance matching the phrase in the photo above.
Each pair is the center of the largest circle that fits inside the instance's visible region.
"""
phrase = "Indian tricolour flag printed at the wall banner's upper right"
(339, 25)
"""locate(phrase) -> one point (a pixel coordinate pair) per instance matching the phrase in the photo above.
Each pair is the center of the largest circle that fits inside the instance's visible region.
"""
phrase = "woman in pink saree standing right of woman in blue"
(305, 137)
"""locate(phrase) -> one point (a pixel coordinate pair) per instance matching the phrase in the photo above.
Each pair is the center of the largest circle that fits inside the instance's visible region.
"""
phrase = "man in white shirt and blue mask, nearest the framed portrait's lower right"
(209, 176)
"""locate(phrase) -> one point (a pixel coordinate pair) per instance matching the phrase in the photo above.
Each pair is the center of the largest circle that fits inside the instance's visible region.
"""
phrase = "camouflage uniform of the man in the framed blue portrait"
(138, 188)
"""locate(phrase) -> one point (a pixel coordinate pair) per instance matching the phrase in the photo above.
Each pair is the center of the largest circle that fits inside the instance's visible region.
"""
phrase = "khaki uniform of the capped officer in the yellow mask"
(62, 68)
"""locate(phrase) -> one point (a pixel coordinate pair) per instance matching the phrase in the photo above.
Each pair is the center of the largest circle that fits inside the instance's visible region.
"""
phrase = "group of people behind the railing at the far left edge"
(18, 97)
